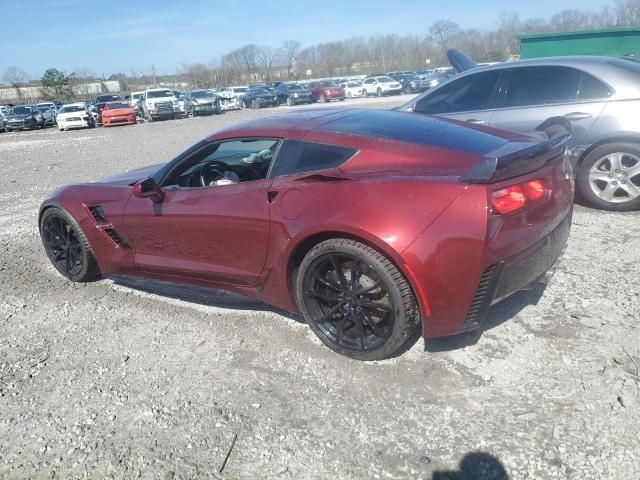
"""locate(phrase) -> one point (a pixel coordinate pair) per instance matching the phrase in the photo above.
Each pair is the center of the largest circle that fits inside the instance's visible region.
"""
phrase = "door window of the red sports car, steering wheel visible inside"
(224, 163)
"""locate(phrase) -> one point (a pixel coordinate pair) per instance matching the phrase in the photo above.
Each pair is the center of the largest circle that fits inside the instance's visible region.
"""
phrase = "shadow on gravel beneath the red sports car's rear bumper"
(499, 313)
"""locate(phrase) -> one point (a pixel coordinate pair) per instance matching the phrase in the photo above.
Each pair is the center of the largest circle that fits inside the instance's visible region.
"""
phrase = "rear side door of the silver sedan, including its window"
(535, 93)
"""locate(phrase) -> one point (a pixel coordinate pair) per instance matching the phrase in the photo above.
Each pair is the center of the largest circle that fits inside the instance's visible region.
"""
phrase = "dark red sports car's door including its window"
(218, 232)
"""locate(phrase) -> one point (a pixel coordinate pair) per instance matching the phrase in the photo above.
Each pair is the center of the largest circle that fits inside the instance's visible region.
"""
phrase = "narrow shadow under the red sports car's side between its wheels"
(202, 296)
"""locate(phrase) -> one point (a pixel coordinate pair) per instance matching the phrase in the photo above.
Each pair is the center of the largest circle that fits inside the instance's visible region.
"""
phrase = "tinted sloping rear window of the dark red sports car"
(417, 129)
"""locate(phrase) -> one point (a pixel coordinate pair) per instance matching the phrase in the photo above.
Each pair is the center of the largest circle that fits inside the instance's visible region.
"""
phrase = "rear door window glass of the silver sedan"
(542, 86)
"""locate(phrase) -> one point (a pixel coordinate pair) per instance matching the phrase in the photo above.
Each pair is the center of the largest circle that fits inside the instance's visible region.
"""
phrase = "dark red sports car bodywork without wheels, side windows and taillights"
(417, 190)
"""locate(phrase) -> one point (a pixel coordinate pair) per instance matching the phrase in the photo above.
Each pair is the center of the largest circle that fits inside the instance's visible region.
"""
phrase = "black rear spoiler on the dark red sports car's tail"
(527, 160)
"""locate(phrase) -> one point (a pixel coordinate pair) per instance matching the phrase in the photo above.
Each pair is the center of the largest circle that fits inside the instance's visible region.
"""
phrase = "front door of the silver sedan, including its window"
(470, 98)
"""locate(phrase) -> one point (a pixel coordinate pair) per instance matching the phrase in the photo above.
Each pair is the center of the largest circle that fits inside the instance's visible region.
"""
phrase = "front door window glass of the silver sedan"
(470, 93)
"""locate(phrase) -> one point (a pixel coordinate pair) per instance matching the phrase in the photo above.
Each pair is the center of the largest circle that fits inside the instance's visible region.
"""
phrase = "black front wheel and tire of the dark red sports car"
(54, 225)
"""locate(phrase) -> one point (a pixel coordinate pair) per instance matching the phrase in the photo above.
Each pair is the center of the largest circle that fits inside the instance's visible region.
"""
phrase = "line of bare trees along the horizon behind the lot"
(352, 56)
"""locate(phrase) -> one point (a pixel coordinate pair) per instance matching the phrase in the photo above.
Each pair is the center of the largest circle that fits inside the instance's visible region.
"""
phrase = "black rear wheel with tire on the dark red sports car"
(377, 318)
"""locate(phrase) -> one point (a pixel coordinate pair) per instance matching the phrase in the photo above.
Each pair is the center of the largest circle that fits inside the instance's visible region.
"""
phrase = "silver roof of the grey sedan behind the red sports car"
(610, 70)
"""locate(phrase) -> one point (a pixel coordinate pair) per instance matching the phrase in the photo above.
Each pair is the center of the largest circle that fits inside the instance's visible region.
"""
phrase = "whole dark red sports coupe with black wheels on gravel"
(371, 224)
